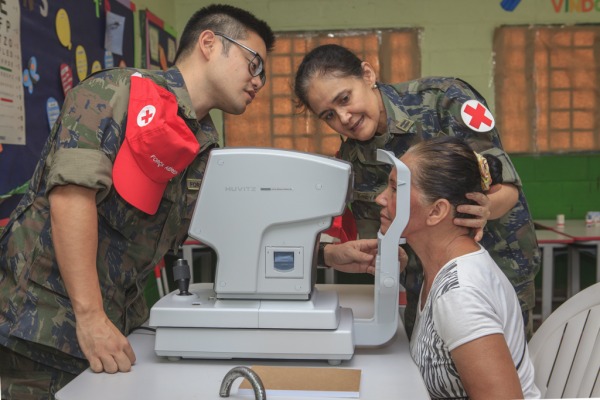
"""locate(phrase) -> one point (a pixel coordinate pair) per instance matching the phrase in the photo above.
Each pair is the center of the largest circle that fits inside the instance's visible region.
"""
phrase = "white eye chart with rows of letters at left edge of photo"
(12, 77)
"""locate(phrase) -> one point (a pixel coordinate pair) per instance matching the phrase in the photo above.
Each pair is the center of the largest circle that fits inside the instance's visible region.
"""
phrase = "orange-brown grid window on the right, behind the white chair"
(546, 81)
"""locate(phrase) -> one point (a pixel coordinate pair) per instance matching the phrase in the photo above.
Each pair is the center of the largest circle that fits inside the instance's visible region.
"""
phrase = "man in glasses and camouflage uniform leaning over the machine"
(76, 254)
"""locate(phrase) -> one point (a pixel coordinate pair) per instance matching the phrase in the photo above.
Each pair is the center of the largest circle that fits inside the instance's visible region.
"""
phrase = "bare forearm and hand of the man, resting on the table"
(75, 237)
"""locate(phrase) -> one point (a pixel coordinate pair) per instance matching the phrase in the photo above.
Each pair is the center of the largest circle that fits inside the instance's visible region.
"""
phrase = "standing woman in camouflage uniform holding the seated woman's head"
(334, 84)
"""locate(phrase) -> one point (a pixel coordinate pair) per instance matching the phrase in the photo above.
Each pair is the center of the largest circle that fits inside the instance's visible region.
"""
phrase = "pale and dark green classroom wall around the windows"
(456, 41)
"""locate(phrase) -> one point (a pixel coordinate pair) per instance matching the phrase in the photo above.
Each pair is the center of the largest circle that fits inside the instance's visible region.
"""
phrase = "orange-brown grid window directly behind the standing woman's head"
(273, 120)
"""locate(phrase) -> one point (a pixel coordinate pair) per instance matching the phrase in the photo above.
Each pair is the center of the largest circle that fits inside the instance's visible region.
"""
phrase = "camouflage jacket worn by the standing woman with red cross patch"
(427, 107)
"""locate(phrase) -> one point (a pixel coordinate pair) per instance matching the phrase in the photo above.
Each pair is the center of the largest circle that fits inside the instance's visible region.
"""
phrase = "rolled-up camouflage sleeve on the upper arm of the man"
(89, 132)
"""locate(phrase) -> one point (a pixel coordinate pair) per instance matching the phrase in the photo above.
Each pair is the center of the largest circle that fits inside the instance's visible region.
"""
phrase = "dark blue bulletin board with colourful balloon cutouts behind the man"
(61, 42)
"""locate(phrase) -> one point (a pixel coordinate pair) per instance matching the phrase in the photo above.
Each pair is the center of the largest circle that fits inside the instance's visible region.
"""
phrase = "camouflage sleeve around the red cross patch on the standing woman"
(484, 143)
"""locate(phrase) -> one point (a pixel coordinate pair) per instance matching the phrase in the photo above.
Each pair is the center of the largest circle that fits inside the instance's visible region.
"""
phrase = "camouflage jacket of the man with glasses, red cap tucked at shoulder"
(81, 150)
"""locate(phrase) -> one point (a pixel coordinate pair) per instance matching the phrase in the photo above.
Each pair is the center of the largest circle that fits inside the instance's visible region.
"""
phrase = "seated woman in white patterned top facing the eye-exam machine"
(468, 339)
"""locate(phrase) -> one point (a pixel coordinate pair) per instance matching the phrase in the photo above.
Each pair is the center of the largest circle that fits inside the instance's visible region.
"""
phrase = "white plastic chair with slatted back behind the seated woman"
(565, 350)
